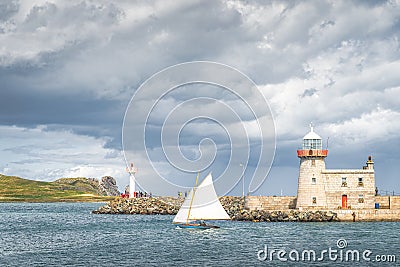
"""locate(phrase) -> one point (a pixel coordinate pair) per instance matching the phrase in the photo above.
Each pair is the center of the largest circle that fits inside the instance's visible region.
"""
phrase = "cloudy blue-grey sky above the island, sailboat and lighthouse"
(69, 69)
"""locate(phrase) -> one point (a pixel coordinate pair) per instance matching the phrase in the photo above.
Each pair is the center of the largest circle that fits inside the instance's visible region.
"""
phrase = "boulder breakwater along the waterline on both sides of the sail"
(234, 206)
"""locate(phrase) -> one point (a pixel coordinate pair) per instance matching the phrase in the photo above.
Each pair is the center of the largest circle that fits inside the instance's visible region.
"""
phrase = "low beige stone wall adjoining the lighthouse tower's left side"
(270, 203)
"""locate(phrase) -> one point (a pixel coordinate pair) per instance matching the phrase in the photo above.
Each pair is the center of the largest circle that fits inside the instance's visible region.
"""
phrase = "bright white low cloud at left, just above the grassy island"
(45, 155)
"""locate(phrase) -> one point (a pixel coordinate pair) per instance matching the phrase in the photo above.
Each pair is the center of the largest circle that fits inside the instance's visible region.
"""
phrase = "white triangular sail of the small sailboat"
(204, 205)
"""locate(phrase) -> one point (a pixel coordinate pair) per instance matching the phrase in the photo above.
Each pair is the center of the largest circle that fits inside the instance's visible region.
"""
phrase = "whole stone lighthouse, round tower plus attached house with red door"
(321, 188)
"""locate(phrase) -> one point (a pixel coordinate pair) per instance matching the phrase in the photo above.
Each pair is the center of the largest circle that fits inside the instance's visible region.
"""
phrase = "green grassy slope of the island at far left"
(15, 189)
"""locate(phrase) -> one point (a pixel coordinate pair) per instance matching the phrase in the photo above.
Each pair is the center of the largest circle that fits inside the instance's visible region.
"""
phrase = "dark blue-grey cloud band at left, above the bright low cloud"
(27, 107)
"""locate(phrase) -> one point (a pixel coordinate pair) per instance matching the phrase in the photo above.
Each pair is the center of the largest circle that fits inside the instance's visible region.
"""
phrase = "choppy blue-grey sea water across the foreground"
(57, 234)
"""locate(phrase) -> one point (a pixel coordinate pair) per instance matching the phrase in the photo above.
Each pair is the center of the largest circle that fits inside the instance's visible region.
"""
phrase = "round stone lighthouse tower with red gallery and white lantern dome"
(311, 192)
